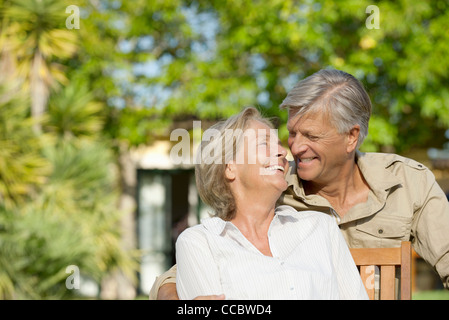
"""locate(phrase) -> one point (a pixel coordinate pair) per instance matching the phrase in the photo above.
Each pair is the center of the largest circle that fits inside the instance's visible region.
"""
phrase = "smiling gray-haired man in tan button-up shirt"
(377, 199)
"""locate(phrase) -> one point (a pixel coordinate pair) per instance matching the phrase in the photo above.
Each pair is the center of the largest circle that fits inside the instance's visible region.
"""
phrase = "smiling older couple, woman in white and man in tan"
(282, 231)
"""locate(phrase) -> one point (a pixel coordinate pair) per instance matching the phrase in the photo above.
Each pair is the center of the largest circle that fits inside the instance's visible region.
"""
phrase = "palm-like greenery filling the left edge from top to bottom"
(71, 214)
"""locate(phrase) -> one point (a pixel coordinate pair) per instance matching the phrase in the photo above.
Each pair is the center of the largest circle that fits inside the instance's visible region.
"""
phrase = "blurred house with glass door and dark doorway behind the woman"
(167, 202)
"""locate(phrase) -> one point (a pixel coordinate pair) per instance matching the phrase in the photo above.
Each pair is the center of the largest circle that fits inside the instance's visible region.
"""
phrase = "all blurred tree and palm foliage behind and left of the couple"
(134, 70)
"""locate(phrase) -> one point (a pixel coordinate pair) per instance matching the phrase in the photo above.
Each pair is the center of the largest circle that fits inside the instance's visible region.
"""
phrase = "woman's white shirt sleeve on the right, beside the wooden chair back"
(350, 284)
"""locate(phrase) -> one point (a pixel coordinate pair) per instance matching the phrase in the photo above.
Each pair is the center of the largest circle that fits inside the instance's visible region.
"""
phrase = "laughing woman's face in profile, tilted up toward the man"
(260, 160)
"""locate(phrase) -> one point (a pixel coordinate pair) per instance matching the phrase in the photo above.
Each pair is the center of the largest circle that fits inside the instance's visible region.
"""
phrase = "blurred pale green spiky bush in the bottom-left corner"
(37, 245)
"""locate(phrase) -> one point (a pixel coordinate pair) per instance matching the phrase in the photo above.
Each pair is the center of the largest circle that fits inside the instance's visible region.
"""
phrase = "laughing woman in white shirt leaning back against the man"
(250, 248)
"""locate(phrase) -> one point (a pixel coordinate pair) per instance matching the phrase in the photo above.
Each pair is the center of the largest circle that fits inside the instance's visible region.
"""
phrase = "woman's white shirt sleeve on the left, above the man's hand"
(198, 273)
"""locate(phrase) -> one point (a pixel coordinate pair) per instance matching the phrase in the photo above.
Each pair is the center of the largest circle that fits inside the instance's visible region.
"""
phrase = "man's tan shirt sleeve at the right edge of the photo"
(430, 227)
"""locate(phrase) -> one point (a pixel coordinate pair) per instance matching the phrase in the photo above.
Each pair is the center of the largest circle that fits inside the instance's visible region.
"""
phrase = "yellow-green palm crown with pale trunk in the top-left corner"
(35, 38)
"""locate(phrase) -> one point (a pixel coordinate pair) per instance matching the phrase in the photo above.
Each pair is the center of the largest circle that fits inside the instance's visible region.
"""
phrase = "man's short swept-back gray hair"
(341, 96)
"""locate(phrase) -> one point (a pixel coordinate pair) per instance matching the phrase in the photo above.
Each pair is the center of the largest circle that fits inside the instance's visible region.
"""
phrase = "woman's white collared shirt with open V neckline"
(310, 260)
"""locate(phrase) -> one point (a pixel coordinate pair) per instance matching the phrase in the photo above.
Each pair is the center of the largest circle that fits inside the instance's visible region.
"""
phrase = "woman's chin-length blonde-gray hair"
(224, 139)
